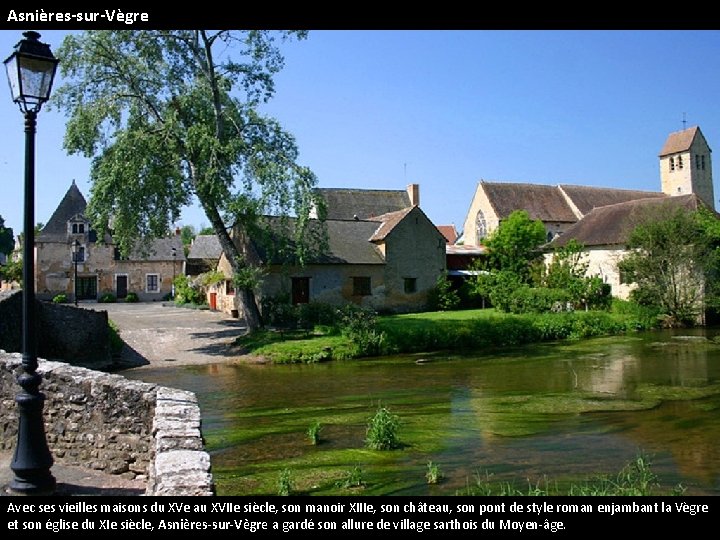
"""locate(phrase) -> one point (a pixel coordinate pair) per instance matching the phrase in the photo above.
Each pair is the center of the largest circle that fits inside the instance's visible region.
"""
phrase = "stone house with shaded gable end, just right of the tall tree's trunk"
(388, 262)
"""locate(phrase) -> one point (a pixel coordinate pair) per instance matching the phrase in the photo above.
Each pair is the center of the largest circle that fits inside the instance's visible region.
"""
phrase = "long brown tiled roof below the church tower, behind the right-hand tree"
(612, 225)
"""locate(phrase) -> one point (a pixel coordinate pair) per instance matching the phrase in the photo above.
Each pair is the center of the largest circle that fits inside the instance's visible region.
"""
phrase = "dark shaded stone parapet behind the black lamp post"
(77, 336)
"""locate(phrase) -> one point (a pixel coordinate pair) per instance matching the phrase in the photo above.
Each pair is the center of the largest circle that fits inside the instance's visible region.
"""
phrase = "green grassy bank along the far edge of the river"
(478, 329)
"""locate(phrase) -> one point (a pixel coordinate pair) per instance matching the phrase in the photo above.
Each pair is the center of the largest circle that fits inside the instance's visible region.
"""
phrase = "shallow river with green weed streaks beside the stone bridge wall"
(554, 412)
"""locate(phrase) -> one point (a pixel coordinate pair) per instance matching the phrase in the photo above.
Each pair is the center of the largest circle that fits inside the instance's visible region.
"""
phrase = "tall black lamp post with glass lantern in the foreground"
(30, 70)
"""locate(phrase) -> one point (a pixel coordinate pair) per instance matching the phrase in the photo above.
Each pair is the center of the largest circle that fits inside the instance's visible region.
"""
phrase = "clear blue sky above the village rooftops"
(381, 109)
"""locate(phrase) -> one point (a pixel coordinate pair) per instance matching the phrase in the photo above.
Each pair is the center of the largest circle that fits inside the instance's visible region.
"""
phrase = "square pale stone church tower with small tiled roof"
(686, 166)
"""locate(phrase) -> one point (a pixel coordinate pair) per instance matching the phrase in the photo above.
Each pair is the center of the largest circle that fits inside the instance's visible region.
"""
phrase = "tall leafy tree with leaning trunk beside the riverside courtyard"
(172, 115)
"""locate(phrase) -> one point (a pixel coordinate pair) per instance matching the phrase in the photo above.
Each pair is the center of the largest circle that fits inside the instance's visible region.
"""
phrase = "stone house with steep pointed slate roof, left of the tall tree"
(148, 271)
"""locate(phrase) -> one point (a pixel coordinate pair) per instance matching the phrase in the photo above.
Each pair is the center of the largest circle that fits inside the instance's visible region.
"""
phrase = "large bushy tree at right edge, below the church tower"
(674, 262)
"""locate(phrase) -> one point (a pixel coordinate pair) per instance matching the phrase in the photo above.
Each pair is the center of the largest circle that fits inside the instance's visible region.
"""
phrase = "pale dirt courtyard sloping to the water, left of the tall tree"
(159, 335)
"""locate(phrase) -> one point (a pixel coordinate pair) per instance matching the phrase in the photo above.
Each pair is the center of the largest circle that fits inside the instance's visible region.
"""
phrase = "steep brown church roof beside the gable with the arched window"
(541, 202)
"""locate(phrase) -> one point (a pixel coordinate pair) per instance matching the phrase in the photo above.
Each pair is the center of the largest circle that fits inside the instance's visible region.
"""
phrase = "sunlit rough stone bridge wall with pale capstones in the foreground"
(119, 426)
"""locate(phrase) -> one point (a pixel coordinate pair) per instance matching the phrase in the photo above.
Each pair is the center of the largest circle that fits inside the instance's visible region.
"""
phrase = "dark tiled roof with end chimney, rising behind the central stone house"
(362, 203)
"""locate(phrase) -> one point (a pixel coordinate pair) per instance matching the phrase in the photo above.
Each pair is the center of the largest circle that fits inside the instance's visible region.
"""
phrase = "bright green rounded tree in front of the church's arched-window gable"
(513, 246)
